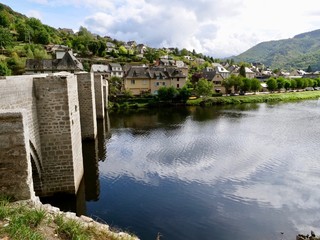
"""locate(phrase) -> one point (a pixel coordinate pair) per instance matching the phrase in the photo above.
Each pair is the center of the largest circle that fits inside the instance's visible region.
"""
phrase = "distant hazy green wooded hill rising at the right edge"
(299, 52)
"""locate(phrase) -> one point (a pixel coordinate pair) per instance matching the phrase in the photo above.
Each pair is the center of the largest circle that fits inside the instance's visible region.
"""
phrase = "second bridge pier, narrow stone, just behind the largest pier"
(87, 103)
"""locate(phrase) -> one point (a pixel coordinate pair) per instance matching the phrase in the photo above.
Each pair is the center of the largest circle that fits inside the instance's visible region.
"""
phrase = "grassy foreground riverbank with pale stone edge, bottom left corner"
(33, 220)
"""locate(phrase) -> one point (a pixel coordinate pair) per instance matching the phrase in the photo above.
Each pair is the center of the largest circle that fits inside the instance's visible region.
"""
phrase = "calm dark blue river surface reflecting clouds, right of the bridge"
(239, 172)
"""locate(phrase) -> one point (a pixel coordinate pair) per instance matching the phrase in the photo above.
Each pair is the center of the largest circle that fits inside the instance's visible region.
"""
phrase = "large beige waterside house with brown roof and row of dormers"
(140, 79)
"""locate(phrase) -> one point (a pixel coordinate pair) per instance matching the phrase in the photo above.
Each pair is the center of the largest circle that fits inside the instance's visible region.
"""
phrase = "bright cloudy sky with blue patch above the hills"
(213, 27)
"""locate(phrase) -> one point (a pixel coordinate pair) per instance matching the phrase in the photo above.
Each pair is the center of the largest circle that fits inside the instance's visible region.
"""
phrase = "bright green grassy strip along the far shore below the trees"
(258, 98)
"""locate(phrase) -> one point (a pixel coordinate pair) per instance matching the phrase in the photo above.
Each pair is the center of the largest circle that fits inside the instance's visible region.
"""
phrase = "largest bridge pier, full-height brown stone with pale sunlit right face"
(60, 133)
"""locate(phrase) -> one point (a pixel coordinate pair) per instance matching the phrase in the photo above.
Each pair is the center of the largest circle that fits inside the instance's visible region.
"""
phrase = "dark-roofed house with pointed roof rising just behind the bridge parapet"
(65, 61)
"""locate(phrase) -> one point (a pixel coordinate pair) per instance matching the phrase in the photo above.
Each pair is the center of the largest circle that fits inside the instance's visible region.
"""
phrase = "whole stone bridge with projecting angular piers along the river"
(43, 119)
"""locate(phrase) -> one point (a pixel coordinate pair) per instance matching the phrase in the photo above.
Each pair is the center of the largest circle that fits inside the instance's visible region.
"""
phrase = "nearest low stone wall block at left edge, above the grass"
(15, 155)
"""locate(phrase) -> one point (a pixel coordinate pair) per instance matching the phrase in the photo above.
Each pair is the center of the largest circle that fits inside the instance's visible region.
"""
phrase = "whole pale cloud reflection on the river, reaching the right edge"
(258, 158)
